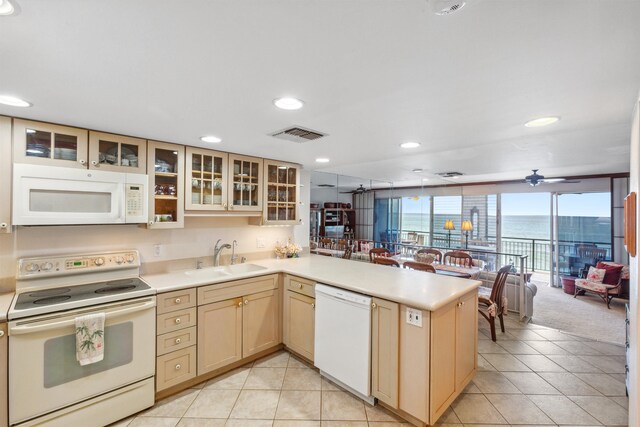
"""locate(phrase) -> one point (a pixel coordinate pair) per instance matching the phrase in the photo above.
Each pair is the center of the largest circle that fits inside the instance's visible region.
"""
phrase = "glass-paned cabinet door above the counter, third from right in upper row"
(207, 172)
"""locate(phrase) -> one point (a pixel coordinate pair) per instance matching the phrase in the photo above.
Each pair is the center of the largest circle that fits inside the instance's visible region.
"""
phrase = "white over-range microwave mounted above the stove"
(51, 195)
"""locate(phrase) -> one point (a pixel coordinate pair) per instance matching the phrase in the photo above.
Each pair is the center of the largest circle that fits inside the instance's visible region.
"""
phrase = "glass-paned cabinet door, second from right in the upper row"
(245, 183)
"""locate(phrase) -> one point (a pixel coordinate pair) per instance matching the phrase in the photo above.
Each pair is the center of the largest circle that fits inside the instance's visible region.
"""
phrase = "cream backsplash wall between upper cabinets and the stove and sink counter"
(196, 240)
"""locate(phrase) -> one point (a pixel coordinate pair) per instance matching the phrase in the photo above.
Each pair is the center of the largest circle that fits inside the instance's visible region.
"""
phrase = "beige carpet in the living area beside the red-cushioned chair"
(586, 316)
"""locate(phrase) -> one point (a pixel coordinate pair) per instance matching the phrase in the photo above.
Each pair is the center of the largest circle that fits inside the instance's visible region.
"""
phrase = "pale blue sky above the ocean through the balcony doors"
(585, 204)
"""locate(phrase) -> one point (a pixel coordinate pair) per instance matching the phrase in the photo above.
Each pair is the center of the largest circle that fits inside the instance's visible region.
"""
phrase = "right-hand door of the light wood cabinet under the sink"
(260, 322)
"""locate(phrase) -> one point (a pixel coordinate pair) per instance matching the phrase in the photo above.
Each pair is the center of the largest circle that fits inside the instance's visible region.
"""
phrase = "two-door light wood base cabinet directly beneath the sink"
(238, 327)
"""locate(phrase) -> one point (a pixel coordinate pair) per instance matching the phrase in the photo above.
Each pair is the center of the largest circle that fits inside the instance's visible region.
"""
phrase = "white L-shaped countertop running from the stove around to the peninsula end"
(417, 289)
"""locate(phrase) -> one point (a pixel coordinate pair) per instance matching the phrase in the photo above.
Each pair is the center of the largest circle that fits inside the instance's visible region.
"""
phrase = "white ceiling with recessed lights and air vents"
(372, 73)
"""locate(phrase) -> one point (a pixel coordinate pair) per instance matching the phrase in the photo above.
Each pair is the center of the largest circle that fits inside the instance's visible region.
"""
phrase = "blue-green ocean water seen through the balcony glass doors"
(574, 229)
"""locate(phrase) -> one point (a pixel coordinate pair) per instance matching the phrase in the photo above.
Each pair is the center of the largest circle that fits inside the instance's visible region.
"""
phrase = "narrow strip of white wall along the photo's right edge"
(634, 297)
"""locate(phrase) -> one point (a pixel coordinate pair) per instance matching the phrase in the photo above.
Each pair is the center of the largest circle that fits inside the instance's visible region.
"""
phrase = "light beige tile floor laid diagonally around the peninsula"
(532, 376)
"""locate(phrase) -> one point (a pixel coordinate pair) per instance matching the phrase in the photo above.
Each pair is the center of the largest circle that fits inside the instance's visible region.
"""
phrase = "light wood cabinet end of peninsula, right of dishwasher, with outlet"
(438, 359)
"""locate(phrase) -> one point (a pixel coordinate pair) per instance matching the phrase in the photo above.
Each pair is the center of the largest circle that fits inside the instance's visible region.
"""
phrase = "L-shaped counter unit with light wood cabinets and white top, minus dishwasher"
(417, 370)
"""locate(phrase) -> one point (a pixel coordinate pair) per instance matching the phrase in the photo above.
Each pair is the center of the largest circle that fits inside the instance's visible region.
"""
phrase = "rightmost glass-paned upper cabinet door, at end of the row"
(282, 192)
